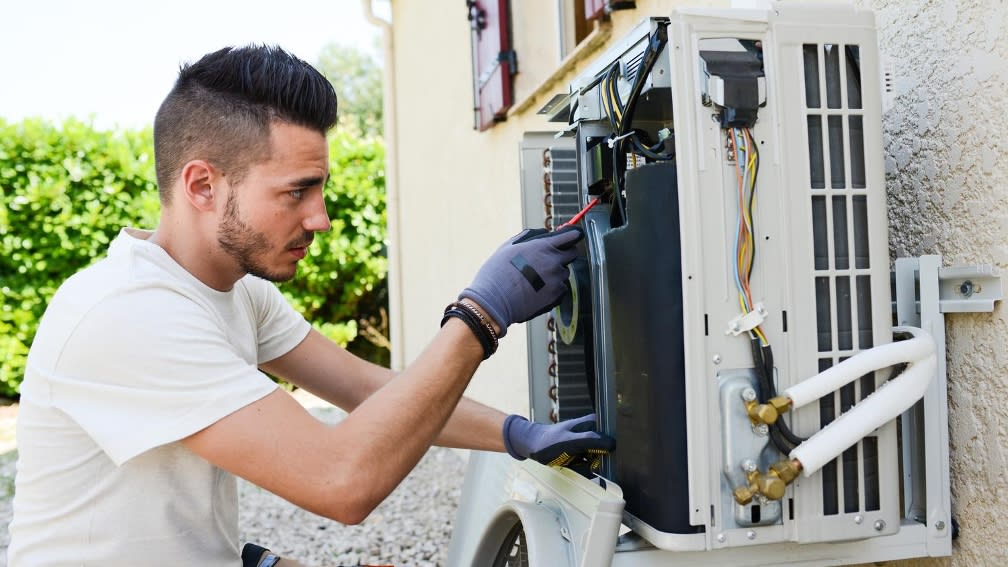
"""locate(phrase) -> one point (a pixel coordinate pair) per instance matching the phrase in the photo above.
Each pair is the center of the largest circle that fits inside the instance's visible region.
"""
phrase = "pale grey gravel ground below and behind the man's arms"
(412, 528)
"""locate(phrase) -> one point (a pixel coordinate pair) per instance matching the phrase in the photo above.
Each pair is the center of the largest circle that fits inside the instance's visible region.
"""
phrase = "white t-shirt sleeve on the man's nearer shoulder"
(151, 367)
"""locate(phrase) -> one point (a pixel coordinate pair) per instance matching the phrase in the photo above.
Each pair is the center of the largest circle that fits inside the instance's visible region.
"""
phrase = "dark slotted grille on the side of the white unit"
(839, 202)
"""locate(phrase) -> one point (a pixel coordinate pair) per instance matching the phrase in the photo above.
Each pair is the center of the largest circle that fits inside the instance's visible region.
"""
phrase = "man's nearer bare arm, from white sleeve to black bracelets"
(344, 472)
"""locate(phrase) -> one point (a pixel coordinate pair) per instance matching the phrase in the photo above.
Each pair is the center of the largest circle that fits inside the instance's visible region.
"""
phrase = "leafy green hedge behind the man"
(67, 190)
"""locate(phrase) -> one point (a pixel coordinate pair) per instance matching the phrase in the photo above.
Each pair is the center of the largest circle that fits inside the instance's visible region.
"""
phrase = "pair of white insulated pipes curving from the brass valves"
(890, 401)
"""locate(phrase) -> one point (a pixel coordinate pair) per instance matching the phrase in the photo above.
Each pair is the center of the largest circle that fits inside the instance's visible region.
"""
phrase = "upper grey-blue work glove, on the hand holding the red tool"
(527, 277)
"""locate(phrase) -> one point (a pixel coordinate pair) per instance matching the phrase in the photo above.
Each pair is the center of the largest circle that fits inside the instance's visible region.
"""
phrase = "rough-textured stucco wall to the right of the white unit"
(948, 180)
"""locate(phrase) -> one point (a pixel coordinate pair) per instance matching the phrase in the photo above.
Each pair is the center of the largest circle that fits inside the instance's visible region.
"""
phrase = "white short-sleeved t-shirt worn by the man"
(134, 355)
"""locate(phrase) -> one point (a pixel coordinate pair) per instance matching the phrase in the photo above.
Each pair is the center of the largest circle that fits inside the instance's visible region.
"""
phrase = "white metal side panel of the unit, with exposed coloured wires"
(786, 274)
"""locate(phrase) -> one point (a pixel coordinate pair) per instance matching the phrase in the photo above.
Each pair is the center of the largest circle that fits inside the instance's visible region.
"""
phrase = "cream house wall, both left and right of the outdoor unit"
(947, 173)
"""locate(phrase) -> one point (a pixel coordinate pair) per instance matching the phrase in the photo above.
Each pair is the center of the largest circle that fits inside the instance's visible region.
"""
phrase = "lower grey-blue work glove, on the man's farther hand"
(562, 444)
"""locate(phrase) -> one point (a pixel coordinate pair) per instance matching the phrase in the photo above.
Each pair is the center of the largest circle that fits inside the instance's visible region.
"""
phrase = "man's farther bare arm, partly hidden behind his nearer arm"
(329, 372)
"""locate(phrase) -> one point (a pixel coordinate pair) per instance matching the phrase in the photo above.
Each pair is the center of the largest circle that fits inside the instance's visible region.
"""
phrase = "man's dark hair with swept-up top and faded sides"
(222, 106)
